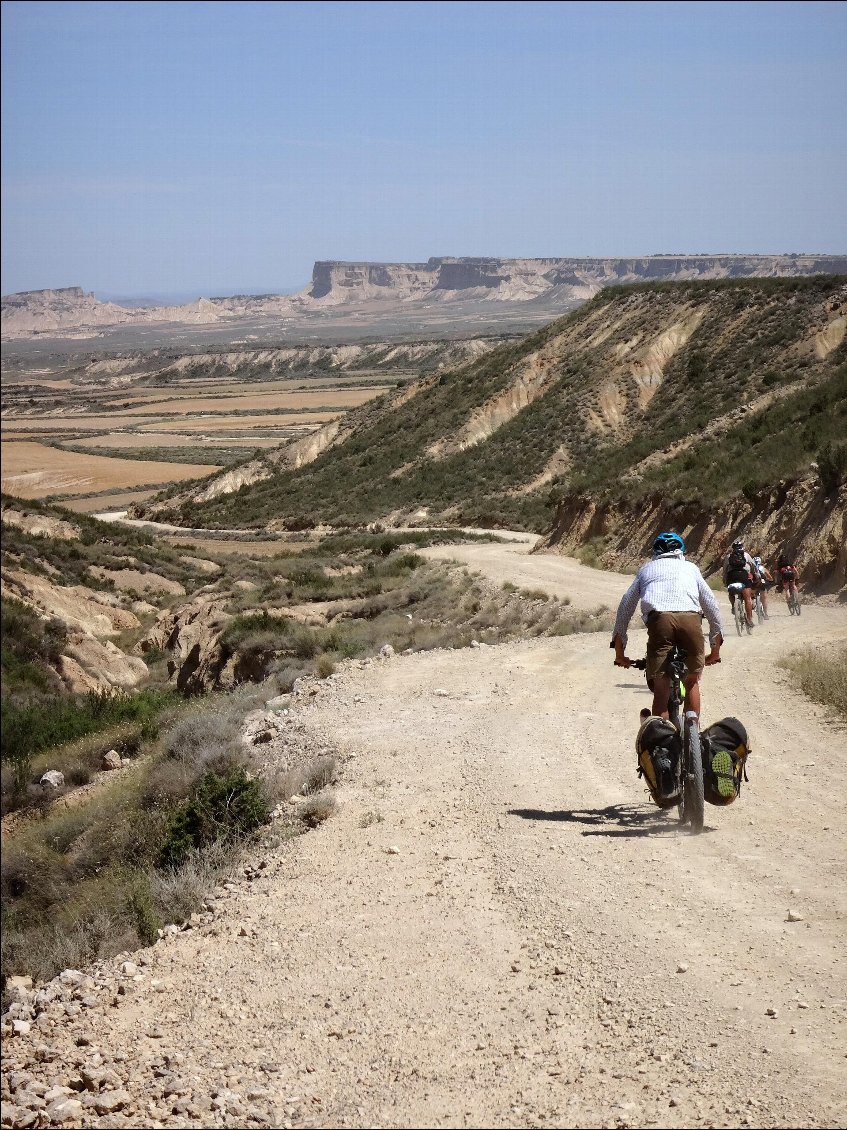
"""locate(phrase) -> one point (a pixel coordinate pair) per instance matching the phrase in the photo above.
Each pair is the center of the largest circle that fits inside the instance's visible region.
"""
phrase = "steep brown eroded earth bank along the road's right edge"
(801, 517)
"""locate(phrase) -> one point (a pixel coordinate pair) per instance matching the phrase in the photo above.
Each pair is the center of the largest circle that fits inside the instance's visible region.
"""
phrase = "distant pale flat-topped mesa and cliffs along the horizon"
(400, 292)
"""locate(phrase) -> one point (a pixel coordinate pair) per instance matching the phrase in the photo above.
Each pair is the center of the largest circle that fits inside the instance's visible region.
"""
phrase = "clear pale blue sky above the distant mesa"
(222, 147)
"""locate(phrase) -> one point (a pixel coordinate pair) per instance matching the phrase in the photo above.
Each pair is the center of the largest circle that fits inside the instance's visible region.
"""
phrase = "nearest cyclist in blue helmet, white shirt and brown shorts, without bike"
(675, 598)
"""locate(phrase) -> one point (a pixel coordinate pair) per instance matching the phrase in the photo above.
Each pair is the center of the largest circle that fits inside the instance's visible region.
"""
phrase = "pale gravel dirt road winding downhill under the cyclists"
(499, 929)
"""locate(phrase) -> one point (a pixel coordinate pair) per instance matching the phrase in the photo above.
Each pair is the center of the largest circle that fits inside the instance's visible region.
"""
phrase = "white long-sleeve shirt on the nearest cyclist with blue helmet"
(669, 584)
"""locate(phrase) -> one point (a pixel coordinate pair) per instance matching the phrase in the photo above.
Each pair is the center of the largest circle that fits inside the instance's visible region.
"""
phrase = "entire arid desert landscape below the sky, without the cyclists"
(307, 610)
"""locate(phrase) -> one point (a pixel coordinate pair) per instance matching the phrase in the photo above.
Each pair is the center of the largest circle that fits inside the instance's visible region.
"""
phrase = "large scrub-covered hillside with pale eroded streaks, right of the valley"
(705, 402)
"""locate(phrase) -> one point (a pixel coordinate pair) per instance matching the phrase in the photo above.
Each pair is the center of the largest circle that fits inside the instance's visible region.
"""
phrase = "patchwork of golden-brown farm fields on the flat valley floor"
(97, 439)
